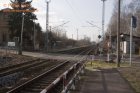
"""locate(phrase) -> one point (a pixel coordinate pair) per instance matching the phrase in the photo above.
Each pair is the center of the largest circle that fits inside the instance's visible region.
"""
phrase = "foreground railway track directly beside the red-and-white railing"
(37, 84)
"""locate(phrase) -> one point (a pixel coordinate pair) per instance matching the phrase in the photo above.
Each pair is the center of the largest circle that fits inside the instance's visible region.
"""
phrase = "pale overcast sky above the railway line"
(75, 13)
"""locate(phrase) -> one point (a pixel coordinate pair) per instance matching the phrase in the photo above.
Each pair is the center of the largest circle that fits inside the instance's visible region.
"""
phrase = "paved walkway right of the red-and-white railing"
(103, 81)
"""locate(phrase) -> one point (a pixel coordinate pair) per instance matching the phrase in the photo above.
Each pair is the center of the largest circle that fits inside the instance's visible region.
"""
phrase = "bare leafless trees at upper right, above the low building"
(133, 8)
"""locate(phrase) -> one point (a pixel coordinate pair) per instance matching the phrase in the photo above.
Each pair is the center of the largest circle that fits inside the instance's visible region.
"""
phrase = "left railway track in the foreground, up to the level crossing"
(22, 75)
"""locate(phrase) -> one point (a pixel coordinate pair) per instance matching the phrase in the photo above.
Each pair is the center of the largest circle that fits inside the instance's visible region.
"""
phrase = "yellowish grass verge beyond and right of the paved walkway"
(131, 74)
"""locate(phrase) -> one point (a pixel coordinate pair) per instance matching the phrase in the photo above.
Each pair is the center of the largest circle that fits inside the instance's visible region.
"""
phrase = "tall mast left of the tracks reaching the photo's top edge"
(47, 24)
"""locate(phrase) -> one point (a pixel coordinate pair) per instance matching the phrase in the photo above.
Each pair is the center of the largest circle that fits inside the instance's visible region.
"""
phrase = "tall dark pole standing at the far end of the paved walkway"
(118, 36)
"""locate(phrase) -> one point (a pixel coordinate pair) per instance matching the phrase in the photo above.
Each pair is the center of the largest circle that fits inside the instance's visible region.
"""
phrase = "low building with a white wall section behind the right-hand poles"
(125, 43)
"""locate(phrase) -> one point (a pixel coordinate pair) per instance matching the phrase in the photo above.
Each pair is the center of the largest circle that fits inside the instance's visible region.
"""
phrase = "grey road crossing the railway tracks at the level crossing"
(135, 58)
